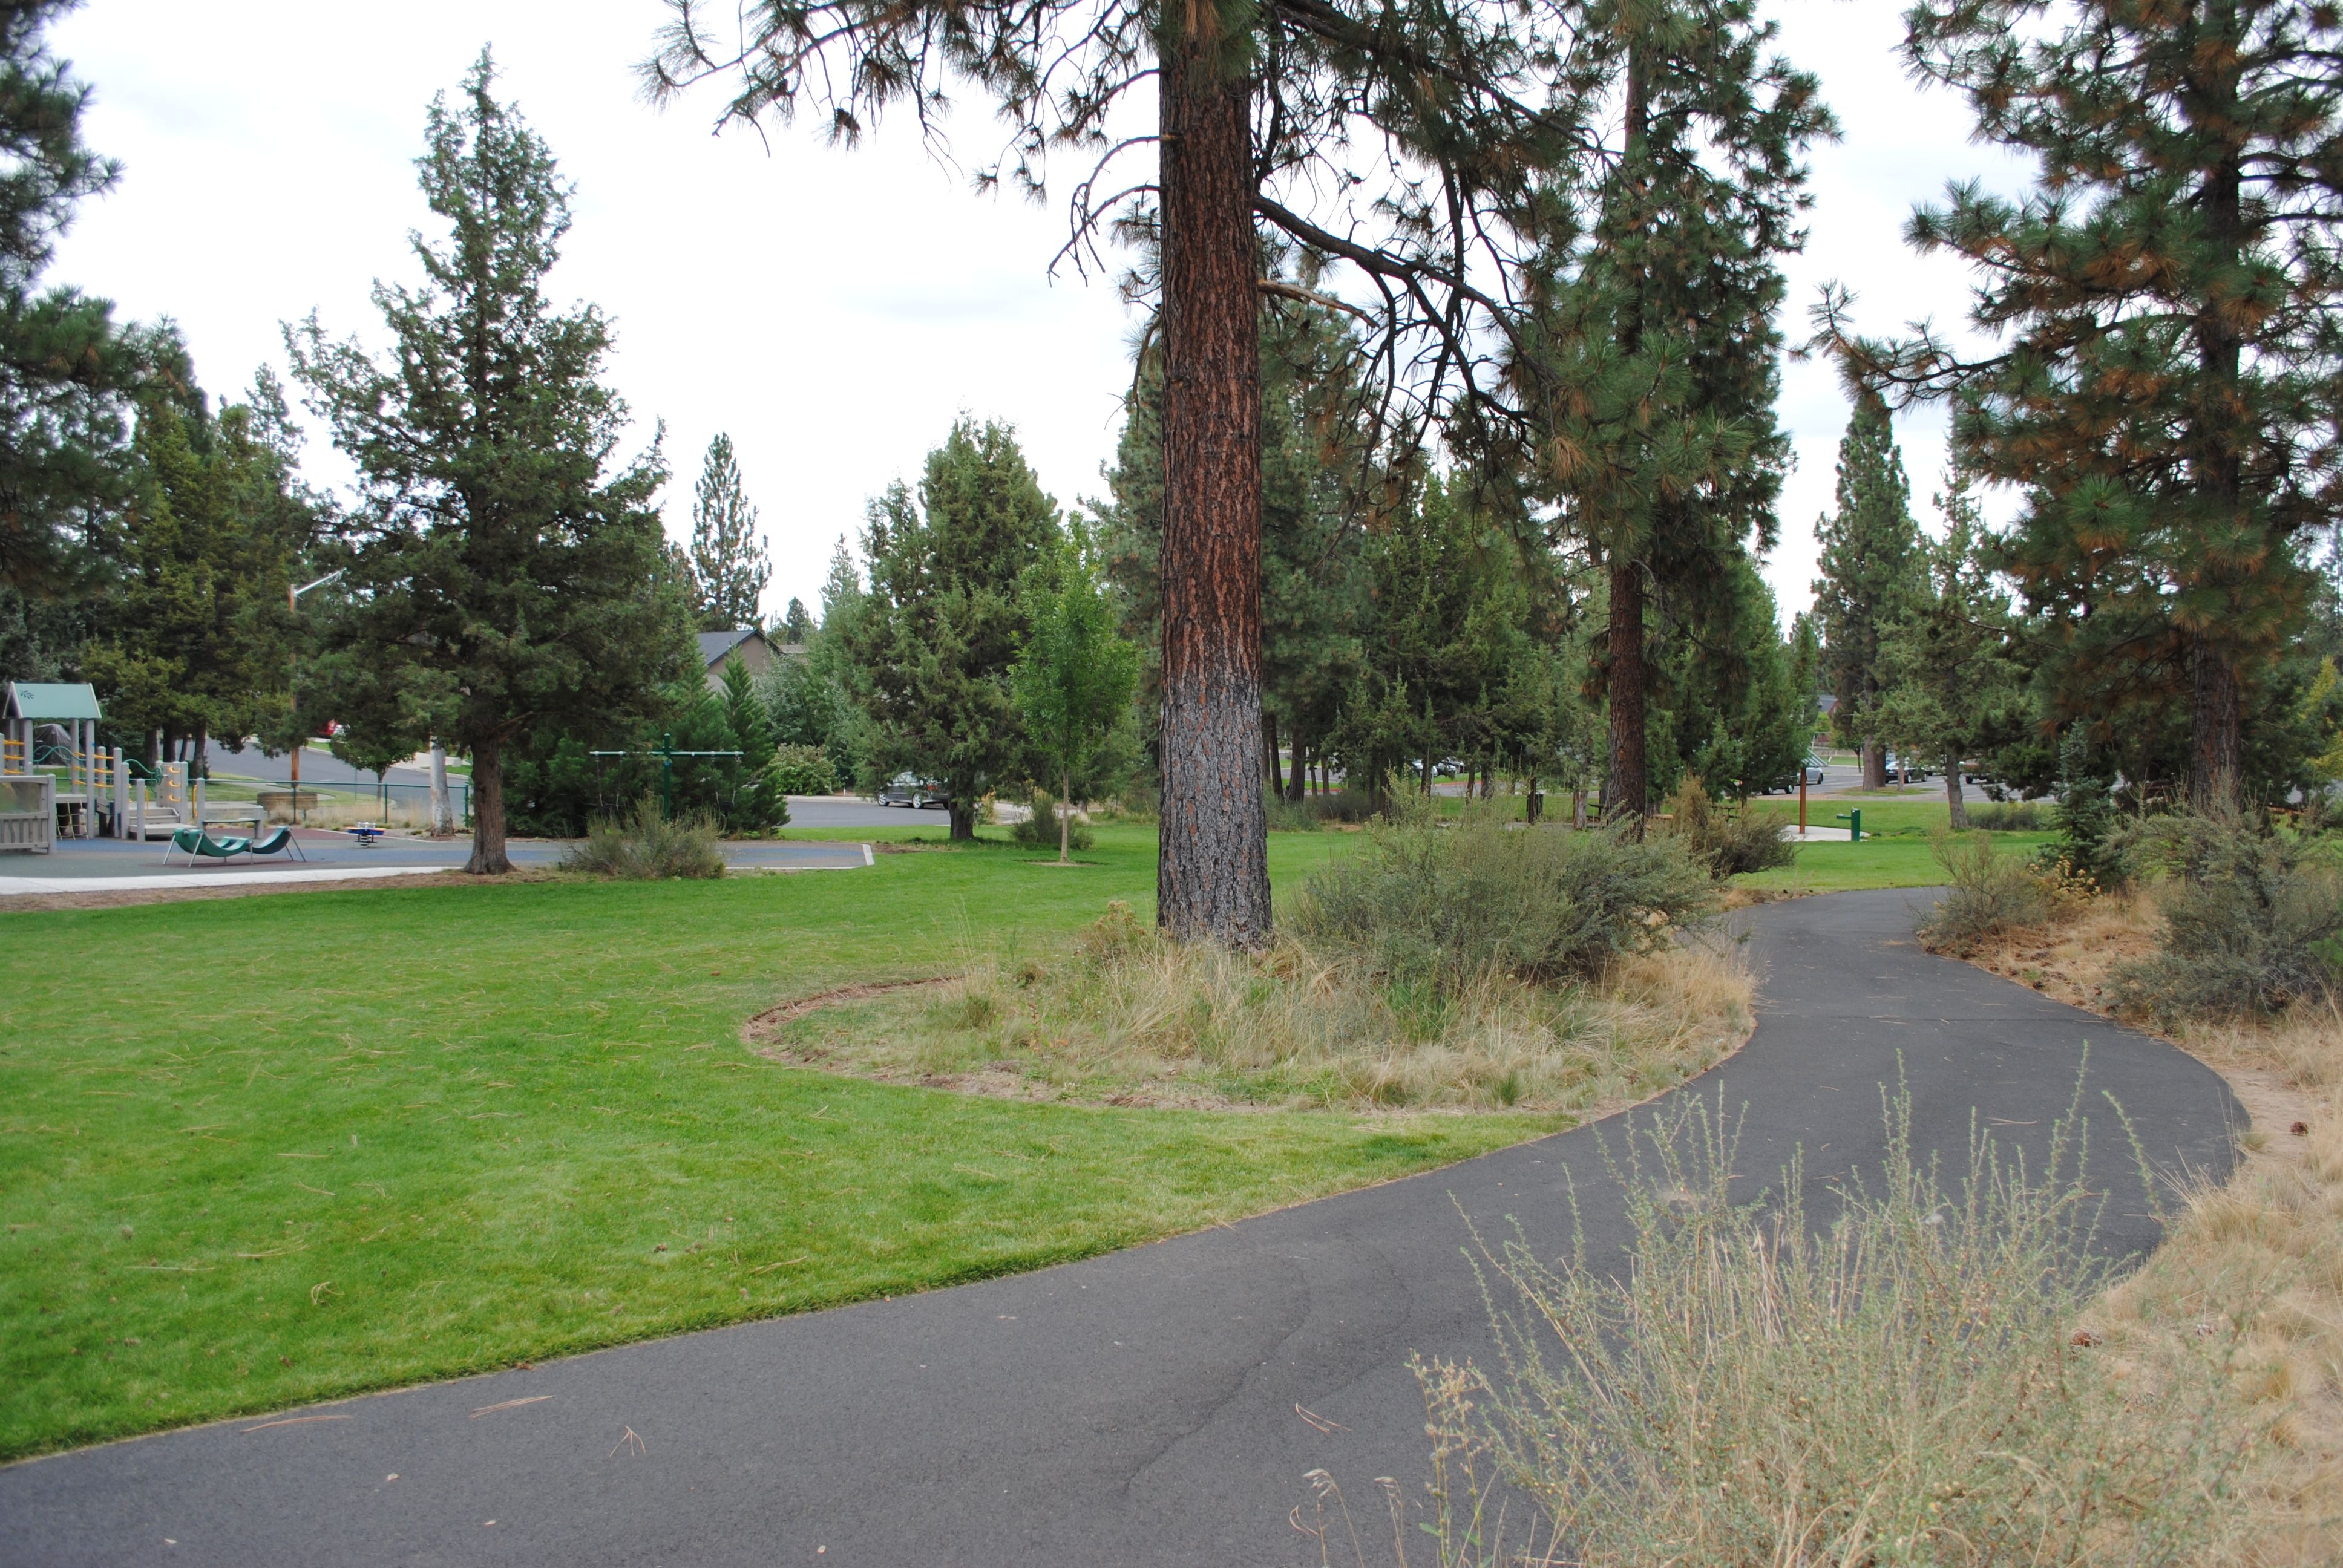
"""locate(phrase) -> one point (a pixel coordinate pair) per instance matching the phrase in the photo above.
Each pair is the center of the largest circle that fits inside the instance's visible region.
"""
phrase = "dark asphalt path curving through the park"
(1156, 1405)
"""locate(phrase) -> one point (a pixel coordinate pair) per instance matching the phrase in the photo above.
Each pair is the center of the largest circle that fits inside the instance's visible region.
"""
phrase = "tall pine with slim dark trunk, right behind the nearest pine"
(1658, 350)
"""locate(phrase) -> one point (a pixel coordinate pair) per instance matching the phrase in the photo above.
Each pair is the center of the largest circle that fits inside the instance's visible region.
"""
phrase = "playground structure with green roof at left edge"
(88, 791)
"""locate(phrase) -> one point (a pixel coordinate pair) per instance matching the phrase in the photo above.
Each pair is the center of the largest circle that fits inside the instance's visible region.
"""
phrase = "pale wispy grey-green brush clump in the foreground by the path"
(1899, 1386)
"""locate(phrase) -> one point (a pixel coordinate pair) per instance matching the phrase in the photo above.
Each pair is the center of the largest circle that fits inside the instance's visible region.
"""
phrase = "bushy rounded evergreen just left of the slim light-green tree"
(934, 639)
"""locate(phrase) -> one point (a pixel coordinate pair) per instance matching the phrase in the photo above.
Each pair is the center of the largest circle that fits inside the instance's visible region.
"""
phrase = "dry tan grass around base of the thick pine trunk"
(1133, 1018)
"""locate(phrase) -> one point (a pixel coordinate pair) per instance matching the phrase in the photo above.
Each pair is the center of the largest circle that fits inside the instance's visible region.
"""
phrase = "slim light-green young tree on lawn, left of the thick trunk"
(1074, 676)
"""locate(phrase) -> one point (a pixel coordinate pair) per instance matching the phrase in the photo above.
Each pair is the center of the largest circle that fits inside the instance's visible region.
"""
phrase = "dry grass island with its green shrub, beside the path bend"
(1440, 967)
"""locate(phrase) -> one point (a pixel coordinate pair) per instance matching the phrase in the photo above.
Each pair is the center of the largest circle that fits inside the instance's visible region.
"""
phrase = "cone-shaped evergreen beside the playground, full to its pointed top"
(503, 571)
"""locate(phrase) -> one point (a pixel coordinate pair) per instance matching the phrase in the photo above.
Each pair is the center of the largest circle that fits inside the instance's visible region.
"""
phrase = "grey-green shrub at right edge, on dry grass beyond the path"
(2253, 920)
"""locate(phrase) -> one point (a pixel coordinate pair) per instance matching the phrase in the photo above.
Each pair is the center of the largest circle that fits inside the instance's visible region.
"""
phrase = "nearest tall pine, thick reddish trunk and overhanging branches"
(1407, 146)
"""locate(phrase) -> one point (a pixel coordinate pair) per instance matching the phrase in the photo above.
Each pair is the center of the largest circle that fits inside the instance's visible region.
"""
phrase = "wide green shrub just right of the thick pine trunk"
(1447, 906)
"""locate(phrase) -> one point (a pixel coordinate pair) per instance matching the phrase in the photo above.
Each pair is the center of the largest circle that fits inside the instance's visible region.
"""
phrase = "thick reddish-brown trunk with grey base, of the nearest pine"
(1213, 868)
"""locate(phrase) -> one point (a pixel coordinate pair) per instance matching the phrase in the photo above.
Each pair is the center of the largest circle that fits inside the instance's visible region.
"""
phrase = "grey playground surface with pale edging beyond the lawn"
(118, 866)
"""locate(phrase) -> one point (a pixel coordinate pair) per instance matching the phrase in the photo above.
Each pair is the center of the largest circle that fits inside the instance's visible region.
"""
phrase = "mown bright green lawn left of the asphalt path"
(275, 1150)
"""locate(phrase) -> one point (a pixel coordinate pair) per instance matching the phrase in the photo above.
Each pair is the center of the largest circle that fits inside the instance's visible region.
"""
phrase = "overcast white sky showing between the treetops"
(831, 311)
